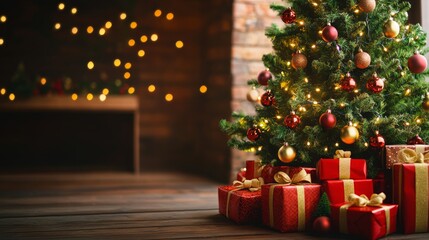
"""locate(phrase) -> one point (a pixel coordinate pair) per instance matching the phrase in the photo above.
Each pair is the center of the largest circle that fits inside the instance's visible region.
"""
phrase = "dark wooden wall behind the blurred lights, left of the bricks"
(181, 134)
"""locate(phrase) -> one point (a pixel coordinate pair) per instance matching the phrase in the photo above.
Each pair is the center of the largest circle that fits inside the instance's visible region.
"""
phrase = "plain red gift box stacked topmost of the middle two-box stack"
(341, 168)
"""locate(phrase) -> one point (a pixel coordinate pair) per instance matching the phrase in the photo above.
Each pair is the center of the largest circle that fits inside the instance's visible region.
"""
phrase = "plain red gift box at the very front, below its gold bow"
(366, 222)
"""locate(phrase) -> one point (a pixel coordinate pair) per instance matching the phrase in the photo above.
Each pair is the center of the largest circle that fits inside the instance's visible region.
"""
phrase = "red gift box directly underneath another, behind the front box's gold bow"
(339, 190)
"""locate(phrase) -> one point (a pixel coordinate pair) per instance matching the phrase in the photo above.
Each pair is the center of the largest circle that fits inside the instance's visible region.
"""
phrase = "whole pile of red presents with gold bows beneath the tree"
(285, 198)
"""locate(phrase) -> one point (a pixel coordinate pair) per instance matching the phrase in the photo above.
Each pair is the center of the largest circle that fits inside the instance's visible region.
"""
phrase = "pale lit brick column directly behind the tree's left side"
(249, 43)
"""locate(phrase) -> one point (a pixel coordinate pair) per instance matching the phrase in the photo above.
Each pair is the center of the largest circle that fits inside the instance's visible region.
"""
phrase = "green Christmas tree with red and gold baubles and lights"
(343, 74)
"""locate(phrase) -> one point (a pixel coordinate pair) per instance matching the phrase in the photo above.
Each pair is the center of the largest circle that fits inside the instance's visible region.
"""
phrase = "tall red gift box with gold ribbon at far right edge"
(411, 192)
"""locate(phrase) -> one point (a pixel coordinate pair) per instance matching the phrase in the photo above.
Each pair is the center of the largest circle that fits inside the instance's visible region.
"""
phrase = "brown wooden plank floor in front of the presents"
(122, 206)
